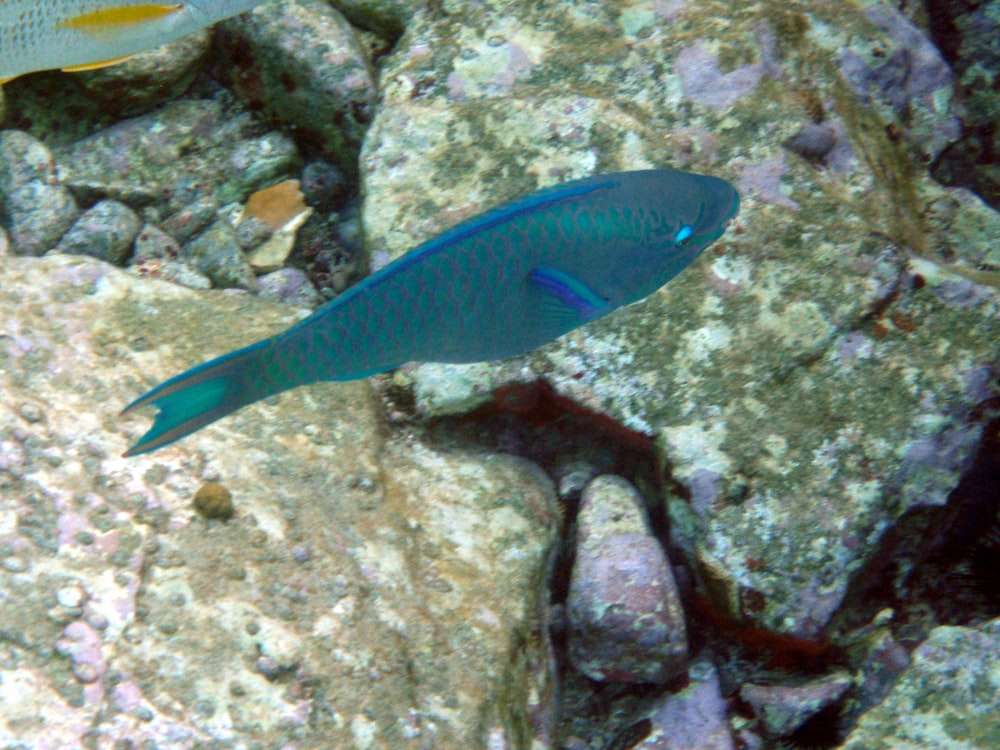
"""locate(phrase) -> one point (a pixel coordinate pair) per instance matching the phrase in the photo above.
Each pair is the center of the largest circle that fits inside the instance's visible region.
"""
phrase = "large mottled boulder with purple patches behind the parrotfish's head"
(817, 372)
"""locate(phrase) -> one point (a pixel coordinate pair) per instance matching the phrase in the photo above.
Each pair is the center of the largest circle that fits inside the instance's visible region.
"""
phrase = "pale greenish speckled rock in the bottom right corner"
(948, 698)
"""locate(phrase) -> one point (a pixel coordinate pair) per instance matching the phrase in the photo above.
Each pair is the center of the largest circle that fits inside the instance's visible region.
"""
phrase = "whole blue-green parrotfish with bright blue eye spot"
(495, 286)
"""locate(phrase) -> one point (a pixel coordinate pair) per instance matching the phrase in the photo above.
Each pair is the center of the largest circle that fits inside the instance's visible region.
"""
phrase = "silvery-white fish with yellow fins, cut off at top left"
(86, 34)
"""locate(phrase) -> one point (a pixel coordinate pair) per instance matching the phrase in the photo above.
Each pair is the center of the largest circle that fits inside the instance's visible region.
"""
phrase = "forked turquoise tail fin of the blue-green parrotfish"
(209, 392)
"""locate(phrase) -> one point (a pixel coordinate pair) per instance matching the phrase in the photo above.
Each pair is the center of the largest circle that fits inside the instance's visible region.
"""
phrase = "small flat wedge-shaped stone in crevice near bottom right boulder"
(781, 709)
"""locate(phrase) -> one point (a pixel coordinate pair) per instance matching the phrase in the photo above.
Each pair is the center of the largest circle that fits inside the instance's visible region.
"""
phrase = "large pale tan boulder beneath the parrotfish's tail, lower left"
(370, 591)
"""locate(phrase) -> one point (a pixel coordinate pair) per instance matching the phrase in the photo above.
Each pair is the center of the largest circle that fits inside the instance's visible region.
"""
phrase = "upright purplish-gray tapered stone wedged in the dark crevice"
(625, 619)
